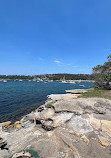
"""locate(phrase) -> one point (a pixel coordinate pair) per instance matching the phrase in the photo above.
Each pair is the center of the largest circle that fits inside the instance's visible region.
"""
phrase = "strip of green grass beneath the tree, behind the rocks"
(96, 93)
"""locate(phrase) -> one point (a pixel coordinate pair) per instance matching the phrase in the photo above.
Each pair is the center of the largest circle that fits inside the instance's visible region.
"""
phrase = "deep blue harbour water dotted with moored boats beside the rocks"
(19, 98)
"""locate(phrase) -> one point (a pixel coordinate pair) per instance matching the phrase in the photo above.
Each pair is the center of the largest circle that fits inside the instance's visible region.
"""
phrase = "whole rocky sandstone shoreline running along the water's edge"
(64, 127)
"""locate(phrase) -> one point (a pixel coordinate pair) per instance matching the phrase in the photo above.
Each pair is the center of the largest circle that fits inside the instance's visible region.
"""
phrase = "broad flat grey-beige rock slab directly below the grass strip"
(84, 105)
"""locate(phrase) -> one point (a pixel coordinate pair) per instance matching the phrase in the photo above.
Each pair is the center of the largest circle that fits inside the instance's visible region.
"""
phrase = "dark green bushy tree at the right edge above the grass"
(102, 75)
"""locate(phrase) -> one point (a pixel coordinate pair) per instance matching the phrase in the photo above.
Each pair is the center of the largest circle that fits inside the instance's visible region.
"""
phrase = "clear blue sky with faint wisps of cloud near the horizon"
(53, 36)
